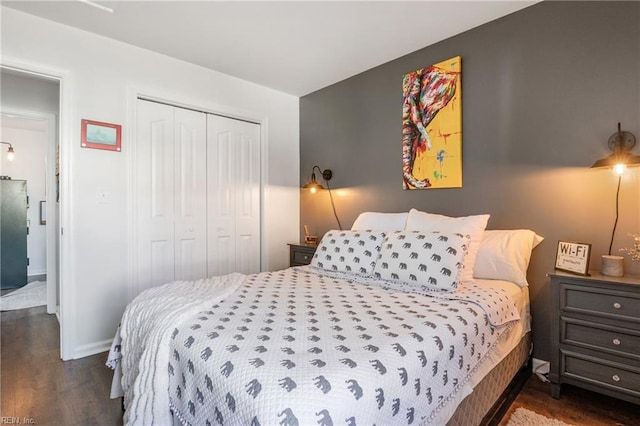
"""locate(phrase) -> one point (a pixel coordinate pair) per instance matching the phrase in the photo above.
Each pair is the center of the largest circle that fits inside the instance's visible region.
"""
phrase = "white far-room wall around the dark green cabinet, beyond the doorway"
(29, 164)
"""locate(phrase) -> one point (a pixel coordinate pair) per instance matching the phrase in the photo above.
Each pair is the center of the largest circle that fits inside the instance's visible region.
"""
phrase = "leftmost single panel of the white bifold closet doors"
(155, 212)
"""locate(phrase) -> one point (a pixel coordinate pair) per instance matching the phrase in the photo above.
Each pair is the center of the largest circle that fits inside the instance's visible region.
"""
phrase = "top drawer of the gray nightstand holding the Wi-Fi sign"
(601, 302)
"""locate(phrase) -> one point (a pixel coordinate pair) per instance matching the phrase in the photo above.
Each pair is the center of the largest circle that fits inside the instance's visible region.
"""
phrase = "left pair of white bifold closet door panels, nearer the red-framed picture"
(172, 188)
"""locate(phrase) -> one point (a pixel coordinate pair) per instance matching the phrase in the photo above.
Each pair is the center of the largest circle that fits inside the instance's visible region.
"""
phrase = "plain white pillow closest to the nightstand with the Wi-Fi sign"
(505, 254)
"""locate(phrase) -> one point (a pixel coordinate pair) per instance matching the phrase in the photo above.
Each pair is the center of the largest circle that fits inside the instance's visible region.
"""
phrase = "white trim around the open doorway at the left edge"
(67, 313)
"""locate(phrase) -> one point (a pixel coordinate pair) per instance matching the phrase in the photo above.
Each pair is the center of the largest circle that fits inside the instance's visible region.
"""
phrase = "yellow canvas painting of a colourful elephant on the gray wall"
(432, 126)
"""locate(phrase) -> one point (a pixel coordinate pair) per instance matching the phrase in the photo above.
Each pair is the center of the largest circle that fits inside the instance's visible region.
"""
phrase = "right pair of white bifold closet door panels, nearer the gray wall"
(233, 195)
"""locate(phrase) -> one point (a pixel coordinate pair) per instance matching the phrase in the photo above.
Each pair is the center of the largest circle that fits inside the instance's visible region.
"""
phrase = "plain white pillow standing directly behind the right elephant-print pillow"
(473, 226)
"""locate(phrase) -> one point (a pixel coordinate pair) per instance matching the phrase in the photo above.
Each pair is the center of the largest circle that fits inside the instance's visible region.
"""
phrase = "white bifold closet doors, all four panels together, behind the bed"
(197, 179)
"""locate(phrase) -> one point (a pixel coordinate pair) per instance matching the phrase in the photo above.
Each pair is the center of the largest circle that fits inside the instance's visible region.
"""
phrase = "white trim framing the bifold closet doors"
(179, 100)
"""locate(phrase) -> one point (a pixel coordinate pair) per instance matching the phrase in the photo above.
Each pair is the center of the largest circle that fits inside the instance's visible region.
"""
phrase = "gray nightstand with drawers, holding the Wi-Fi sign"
(595, 334)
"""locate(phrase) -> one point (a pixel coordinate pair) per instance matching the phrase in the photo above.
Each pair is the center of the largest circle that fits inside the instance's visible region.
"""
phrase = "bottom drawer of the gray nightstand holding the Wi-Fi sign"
(602, 373)
